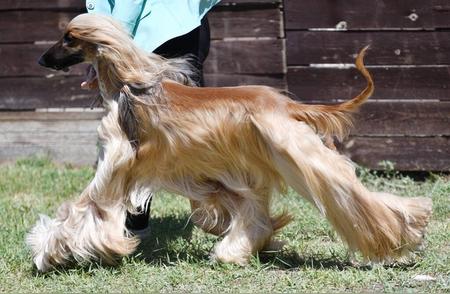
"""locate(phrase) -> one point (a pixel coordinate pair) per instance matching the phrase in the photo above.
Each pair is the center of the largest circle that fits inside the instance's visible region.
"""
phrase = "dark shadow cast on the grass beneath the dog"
(159, 249)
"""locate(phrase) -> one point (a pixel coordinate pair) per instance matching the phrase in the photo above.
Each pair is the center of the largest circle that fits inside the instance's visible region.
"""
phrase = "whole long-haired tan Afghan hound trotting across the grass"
(228, 150)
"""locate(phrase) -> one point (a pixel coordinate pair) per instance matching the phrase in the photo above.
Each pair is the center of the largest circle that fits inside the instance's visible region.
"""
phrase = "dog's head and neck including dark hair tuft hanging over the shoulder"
(127, 74)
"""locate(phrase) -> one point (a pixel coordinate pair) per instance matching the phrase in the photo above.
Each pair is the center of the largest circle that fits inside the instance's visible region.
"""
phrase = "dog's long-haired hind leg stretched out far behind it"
(380, 226)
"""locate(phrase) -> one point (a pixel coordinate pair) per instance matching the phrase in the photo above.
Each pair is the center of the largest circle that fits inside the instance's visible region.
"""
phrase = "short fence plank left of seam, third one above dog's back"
(234, 23)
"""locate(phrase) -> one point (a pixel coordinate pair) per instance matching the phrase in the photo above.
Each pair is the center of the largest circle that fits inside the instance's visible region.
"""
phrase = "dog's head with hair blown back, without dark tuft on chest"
(100, 39)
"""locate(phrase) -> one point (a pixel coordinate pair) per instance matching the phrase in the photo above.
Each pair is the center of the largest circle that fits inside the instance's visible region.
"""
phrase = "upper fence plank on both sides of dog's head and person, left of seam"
(225, 23)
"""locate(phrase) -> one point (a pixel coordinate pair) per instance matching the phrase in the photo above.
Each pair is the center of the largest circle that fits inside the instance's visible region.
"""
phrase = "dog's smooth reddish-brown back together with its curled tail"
(327, 120)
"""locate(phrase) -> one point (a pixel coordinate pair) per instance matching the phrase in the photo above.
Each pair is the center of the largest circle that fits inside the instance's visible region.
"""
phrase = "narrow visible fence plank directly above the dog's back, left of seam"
(228, 80)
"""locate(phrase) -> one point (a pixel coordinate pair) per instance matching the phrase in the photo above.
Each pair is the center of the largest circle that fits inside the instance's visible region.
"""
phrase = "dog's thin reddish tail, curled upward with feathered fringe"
(334, 120)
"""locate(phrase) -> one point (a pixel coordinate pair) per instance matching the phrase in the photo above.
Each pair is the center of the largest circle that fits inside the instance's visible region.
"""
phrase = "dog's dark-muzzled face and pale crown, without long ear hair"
(83, 41)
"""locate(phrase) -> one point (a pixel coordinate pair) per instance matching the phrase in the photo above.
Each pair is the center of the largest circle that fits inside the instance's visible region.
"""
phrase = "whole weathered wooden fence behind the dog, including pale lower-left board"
(304, 46)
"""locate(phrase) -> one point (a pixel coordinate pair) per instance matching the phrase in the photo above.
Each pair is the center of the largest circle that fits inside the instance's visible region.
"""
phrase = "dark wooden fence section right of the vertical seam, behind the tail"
(408, 118)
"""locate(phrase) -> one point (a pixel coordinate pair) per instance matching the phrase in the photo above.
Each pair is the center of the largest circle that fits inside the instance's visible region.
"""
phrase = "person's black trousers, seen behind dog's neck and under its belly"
(196, 44)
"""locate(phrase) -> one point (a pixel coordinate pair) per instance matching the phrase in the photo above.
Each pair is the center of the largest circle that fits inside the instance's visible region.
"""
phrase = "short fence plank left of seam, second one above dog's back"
(246, 57)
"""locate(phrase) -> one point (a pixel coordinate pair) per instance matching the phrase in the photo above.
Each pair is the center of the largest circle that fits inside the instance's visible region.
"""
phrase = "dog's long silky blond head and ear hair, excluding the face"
(128, 64)
